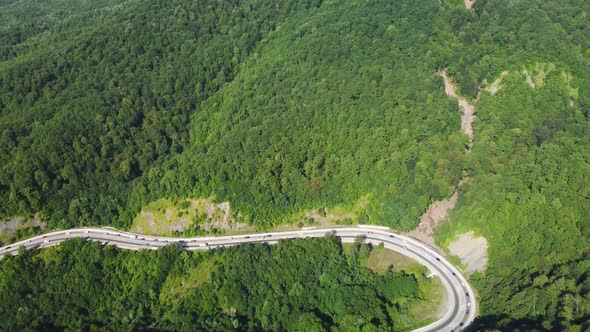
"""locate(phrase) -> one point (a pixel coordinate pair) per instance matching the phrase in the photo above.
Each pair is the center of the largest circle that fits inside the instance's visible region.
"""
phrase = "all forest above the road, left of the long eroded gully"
(91, 121)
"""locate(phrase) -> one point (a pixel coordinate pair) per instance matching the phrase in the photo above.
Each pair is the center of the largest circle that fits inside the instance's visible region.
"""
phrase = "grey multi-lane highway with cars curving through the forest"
(461, 299)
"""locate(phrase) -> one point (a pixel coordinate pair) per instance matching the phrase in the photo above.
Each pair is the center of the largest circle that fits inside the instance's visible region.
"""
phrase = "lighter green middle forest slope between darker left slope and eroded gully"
(332, 107)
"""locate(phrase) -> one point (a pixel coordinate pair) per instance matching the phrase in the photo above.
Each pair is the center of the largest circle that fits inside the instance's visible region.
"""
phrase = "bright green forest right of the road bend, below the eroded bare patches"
(529, 196)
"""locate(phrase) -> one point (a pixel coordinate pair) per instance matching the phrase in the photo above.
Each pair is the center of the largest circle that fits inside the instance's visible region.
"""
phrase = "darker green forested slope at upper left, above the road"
(93, 97)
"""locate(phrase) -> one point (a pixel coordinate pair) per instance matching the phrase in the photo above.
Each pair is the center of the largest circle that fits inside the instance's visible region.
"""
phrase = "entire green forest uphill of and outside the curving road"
(286, 106)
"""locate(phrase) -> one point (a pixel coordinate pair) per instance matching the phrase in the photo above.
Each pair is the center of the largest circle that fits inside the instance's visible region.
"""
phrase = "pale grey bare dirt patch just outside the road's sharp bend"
(473, 252)
